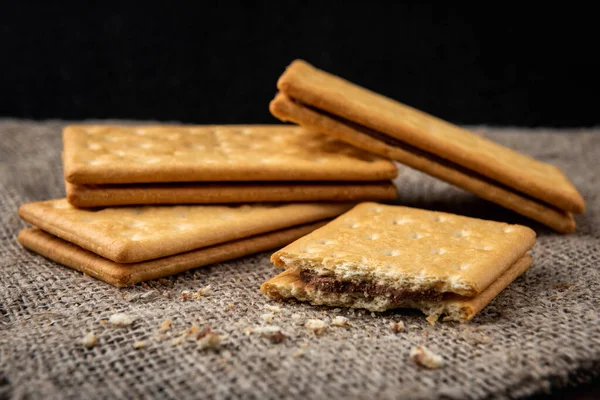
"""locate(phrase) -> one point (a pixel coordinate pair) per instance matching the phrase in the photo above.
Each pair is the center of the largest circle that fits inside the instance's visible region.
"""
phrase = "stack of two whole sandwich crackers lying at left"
(200, 193)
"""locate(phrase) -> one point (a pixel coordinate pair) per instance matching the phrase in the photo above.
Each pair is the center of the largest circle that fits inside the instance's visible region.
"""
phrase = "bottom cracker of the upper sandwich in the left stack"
(86, 196)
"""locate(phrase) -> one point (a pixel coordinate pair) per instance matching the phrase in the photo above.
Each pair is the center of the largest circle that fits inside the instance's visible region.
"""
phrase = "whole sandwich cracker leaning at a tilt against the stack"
(331, 105)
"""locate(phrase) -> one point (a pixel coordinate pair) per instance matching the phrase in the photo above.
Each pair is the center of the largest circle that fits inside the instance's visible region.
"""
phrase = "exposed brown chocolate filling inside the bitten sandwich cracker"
(334, 285)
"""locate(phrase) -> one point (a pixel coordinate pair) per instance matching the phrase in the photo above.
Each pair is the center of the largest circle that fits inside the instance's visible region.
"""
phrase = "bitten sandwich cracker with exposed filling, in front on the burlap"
(382, 257)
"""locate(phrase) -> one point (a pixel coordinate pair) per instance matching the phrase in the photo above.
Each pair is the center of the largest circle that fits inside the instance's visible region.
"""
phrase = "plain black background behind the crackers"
(212, 63)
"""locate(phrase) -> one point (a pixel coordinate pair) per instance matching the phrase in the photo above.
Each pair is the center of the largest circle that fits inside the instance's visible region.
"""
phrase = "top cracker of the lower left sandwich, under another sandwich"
(133, 234)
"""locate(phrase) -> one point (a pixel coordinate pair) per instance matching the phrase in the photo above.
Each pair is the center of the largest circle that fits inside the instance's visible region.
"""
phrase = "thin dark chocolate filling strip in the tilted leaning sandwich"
(430, 156)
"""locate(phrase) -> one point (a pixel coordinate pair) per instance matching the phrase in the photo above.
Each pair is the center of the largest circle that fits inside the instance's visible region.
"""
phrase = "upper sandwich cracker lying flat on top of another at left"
(120, 165)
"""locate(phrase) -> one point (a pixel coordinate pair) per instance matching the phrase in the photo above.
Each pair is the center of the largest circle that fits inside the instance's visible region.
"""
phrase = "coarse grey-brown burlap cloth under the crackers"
(541, 332)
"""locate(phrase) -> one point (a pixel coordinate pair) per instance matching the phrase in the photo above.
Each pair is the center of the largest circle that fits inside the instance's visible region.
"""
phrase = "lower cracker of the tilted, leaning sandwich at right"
(562, 221)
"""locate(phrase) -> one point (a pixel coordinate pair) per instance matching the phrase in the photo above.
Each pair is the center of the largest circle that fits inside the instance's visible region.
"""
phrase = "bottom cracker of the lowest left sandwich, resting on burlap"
(121, 275)
